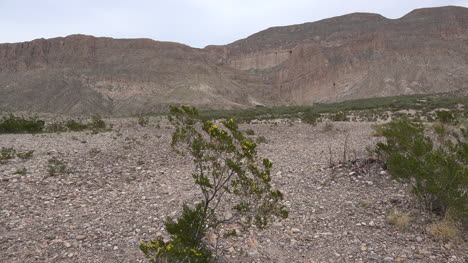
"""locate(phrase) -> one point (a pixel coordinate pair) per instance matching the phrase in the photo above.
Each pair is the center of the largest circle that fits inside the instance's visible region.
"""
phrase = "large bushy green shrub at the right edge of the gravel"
(437, 172)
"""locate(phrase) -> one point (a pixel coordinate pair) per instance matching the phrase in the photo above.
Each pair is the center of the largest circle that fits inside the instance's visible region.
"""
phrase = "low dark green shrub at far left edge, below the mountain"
(15, 124)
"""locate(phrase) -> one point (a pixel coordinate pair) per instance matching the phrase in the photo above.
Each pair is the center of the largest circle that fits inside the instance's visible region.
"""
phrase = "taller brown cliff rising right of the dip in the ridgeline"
(360, 55)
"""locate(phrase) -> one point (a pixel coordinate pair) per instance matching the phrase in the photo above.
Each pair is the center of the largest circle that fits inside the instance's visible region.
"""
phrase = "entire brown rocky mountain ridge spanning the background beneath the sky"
(348, 57)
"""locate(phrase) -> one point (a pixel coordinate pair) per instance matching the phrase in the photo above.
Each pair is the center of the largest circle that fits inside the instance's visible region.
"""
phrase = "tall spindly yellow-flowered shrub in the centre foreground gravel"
(229, 175)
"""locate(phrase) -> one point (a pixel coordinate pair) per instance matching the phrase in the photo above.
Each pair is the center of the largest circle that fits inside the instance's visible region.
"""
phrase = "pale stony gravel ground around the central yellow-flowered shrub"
(125, 182)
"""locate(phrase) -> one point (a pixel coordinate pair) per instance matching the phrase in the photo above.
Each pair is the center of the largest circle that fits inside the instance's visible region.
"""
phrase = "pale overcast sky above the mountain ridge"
(193, 22)
